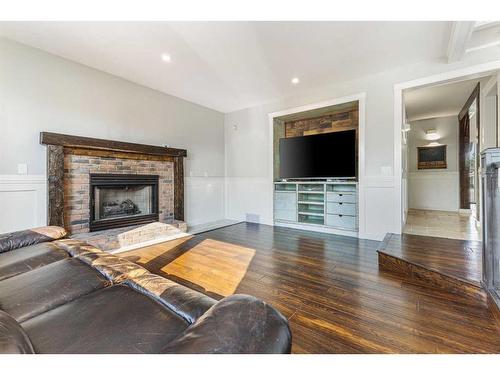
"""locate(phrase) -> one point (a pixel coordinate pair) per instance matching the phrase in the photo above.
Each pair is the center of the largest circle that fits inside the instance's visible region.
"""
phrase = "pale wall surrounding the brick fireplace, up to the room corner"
(43, 92)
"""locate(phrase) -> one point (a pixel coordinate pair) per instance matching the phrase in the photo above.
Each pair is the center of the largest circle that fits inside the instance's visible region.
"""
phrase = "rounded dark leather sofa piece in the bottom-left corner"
(13, 339)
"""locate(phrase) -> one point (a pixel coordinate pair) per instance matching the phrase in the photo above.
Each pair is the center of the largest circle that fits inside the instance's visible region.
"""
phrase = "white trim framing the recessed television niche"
(361, 99)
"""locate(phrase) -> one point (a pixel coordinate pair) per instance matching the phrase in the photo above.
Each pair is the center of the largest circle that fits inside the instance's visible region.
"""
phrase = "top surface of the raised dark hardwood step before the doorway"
(459, 259)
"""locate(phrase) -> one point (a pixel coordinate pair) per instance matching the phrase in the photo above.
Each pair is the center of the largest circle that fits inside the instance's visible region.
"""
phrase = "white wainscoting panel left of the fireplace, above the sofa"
(22, 202)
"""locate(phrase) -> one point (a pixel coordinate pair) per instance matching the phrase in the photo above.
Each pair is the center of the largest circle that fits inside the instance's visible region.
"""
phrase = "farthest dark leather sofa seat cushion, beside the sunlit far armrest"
(28, 258)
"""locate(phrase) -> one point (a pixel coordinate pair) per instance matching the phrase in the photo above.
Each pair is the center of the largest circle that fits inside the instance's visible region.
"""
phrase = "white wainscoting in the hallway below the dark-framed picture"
(430, 190)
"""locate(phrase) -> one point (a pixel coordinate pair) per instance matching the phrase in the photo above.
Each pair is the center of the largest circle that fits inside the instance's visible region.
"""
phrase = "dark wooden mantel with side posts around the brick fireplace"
(57, 143)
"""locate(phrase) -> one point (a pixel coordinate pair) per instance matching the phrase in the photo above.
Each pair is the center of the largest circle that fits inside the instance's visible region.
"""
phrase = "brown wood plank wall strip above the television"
(348, 120)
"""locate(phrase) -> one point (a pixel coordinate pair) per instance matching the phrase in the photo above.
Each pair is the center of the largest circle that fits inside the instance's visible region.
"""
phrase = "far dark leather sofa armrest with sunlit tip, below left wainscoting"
(15, 240)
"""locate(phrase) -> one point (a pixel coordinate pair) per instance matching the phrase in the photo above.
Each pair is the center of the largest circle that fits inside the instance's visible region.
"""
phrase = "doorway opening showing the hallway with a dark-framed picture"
(441, 143)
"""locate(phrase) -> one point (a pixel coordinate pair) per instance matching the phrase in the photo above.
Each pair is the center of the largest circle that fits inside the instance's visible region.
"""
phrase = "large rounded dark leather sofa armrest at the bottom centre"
(238, 324)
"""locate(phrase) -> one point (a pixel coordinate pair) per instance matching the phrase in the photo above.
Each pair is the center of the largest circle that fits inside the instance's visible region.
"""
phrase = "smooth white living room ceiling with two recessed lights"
(233, 65)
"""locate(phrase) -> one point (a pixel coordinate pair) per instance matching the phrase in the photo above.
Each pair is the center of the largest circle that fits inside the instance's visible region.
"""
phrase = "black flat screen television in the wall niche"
(330, 155)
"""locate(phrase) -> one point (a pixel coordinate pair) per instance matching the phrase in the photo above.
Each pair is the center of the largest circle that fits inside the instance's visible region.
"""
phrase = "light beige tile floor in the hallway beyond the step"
(442, 224)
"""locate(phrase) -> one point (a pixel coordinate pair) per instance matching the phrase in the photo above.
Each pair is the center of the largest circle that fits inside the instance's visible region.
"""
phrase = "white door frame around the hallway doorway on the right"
(471, 72)
